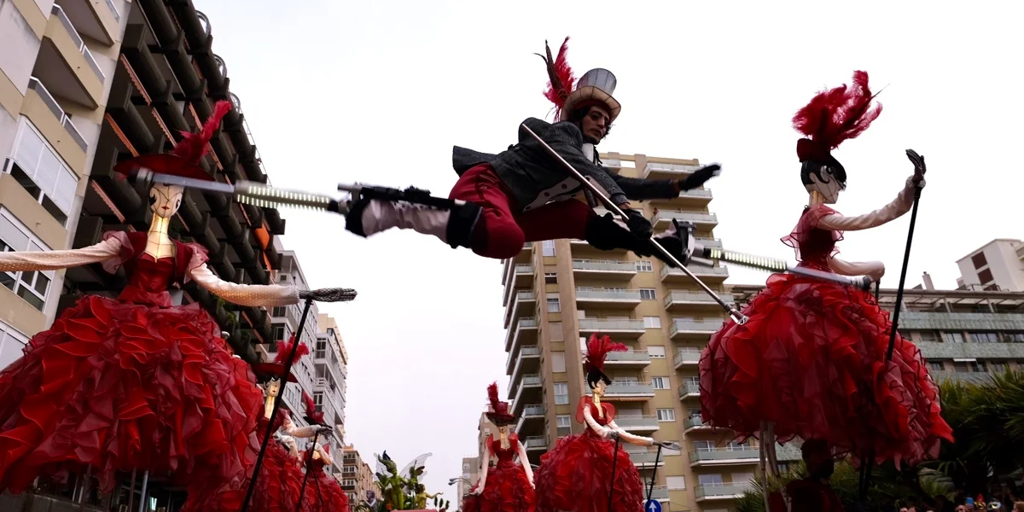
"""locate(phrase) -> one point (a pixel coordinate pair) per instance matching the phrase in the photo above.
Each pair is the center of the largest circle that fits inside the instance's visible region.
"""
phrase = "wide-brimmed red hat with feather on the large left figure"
(184, 159)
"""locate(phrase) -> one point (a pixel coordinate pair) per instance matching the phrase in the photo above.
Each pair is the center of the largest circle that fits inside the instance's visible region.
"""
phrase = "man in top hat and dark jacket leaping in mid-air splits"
(523, 195)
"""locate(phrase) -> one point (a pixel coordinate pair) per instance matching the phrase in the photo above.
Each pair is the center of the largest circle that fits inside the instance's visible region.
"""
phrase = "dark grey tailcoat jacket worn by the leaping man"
(535, 178)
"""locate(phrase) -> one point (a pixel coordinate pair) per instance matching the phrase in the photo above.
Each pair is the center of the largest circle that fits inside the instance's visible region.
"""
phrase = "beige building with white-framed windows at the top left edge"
(58, 61)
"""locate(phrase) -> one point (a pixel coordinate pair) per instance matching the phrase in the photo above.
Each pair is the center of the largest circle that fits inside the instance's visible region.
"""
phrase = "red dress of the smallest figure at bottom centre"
(507, 488)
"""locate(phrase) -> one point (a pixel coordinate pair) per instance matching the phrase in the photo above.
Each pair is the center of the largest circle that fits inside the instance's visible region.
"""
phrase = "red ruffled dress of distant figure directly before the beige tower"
(576, 475)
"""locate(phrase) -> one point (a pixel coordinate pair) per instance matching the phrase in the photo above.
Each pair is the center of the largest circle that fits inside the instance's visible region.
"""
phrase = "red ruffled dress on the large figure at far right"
(813, 361)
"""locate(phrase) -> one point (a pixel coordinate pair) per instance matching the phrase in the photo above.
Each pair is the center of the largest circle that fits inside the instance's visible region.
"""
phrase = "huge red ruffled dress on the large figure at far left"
(130, 385)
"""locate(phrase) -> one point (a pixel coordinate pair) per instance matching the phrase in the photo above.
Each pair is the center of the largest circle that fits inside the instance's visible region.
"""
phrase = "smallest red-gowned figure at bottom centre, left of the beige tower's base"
(507, 487)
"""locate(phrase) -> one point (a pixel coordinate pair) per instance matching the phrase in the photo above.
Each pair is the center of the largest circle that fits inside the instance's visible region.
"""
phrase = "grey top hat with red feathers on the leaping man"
(595, 88)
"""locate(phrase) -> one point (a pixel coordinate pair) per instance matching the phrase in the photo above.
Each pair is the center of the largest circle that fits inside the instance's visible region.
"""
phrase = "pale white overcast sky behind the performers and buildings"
(379, 93)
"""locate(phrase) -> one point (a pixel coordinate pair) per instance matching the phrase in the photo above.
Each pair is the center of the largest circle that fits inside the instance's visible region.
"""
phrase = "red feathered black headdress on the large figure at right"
(834, 117)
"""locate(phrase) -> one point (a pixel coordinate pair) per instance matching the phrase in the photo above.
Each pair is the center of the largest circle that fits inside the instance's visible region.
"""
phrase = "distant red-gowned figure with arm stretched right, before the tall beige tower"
(590, 473)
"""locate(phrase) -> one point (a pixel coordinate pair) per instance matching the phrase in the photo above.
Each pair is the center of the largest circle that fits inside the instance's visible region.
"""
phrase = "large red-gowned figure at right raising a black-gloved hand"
(812, 362)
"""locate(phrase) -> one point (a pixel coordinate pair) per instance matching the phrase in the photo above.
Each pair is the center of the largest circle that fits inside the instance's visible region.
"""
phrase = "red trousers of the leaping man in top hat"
(500, 234)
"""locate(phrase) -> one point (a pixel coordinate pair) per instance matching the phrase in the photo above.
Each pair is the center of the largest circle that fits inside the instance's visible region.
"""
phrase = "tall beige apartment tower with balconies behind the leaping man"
(559, 293)
